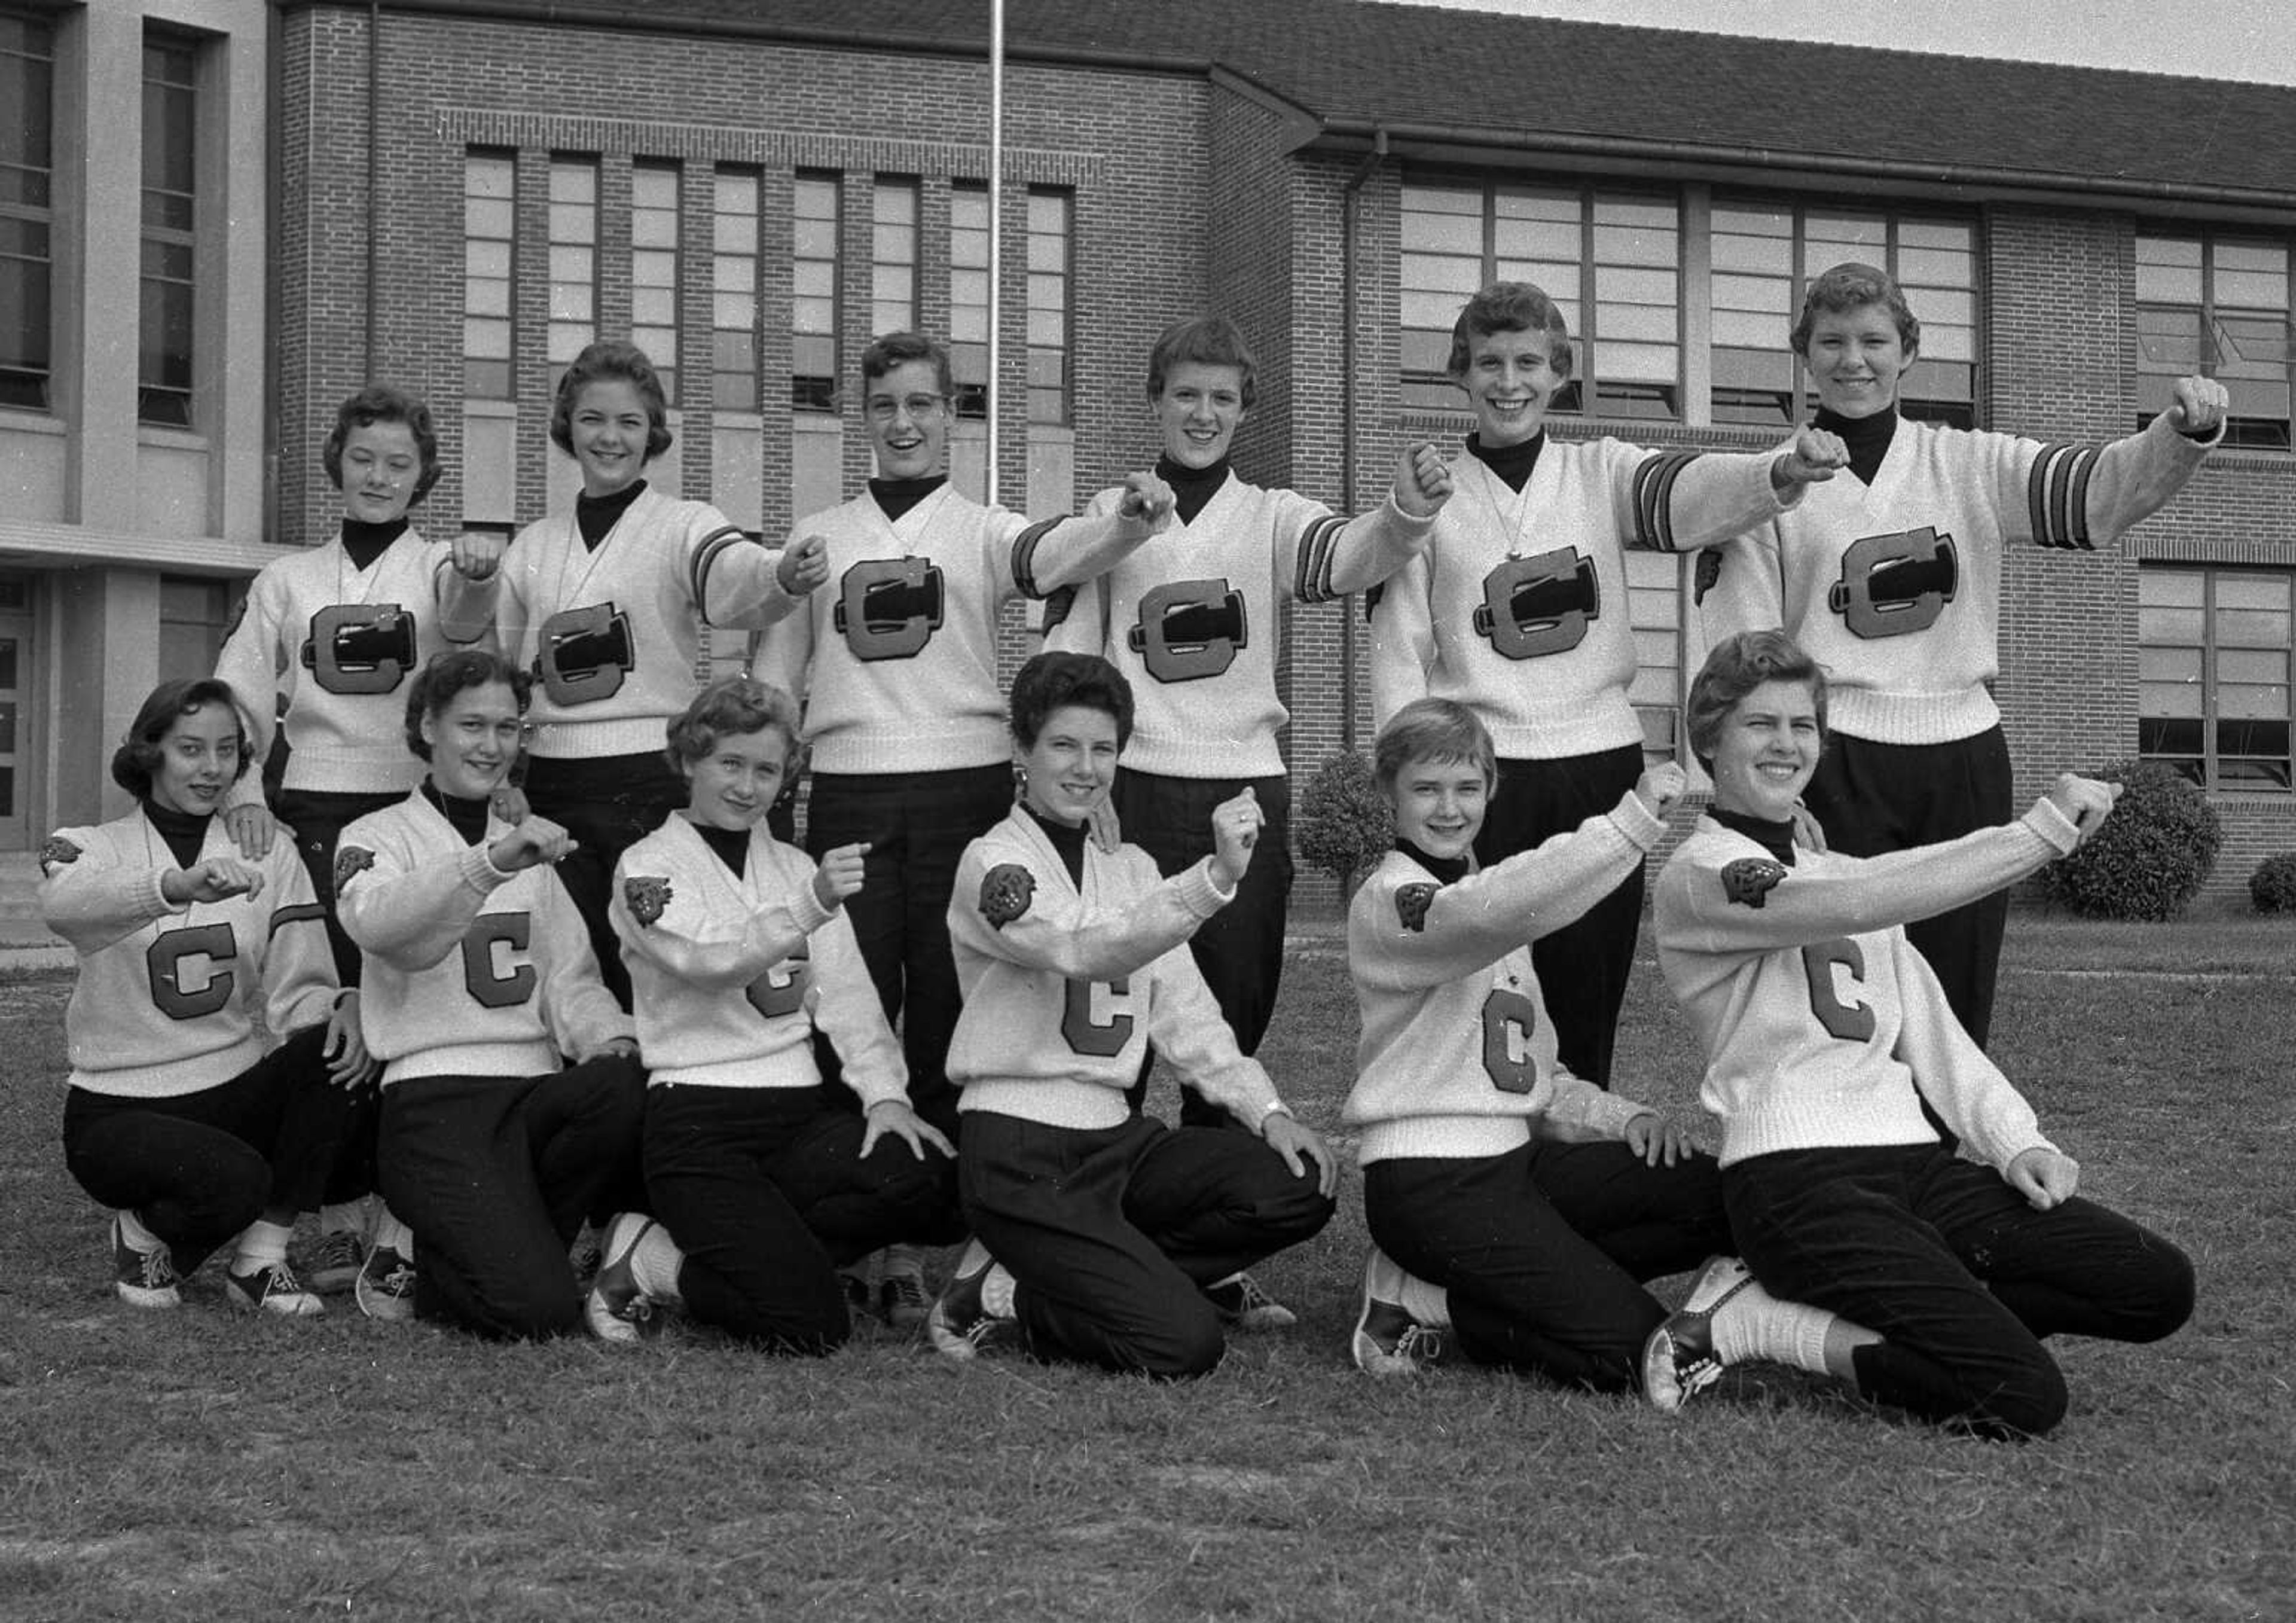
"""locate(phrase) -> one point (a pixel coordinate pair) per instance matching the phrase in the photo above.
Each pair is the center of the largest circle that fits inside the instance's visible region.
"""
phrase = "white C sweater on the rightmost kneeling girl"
(1820, 1023)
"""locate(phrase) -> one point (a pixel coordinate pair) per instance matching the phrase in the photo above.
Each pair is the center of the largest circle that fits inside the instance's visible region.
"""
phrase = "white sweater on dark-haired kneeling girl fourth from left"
(1066, 986)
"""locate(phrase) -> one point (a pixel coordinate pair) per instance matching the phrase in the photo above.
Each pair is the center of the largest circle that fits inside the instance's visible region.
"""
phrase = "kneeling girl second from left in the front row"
(511, 1075)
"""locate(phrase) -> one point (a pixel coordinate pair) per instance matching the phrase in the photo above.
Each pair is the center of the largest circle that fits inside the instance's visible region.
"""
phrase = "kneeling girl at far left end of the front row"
(178, 1117)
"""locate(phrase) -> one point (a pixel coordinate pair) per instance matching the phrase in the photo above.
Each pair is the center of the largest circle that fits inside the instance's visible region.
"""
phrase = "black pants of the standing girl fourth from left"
(1241, 947)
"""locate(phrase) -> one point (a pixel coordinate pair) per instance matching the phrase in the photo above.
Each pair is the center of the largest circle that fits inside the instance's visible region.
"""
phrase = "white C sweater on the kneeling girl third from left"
(731, 974)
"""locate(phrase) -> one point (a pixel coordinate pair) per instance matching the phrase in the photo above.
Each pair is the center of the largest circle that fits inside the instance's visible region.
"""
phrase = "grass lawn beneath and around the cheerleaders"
(199, 1466)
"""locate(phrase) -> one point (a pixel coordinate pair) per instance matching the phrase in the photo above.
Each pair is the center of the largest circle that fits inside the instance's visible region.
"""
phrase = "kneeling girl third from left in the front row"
(738, 952)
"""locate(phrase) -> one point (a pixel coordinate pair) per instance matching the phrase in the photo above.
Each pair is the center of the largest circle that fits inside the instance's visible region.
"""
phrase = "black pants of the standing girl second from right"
(1583, 968)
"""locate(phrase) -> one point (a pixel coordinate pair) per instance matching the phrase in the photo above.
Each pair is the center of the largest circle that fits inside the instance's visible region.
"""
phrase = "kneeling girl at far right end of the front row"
(1829, 1043)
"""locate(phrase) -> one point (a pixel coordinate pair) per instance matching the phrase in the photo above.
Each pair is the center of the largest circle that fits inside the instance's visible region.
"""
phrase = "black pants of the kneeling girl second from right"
(1544, 1250)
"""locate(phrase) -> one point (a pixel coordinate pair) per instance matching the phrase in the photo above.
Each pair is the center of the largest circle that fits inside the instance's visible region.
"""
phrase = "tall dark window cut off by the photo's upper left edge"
(26, 180)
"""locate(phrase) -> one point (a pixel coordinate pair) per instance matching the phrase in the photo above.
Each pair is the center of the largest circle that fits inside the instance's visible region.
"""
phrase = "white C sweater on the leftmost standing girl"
(341, 644)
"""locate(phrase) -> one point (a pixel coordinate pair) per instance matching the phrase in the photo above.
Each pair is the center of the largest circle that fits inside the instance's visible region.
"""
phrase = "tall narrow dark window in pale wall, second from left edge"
(171, 118)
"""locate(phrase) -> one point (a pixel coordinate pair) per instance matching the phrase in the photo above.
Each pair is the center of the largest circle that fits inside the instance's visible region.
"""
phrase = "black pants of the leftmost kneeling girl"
(201, 1167)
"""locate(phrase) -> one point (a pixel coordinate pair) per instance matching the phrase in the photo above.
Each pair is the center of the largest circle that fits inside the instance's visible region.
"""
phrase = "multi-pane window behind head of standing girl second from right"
(1611, 261)
